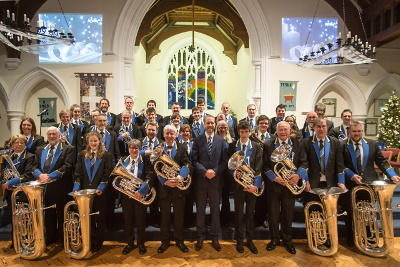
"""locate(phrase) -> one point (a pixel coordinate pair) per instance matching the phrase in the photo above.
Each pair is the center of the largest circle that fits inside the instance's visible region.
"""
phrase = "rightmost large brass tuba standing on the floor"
(366, 230)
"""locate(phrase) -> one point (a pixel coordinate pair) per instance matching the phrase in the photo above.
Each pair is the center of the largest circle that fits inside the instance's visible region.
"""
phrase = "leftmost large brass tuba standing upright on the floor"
(28, 221)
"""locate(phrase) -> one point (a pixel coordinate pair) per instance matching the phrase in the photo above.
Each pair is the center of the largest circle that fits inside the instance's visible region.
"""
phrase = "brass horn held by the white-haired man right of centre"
(281, 156)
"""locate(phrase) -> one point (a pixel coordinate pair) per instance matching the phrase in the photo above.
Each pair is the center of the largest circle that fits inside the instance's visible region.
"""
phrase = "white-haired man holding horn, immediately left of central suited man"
(171, 194)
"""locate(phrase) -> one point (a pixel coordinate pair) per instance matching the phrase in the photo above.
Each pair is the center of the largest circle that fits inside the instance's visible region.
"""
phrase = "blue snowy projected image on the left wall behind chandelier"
(88, 33)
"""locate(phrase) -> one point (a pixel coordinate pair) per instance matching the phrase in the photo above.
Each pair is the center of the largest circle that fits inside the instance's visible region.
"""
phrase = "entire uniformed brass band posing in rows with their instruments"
(67, 189)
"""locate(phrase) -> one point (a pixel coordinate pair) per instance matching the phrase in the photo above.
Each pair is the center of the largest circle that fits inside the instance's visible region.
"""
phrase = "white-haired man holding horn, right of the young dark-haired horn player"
(281, 204)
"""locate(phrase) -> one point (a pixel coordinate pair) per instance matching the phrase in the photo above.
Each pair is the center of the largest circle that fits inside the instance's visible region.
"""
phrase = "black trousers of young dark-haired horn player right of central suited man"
(242, 197)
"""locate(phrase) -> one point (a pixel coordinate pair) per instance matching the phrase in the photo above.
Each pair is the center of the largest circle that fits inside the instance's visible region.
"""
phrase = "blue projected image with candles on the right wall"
(296, 30)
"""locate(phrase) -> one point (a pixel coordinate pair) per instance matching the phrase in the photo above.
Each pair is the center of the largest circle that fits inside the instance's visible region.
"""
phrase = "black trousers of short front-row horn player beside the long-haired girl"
(134, 210)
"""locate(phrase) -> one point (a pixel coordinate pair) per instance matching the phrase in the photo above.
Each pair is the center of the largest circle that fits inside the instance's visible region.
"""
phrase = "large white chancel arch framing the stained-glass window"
(129, 22)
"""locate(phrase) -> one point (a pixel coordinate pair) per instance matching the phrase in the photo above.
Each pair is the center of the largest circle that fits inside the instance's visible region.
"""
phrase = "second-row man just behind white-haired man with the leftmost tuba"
(70, 133)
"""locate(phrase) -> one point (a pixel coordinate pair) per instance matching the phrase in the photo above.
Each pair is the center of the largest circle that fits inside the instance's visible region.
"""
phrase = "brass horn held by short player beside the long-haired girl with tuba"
(128, 184)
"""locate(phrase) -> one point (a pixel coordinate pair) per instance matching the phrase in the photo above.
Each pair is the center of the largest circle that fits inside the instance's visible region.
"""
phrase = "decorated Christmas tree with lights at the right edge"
(389, 127)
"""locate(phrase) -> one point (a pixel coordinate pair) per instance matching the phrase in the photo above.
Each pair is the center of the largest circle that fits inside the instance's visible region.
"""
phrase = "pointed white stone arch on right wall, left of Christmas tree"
(346, 87)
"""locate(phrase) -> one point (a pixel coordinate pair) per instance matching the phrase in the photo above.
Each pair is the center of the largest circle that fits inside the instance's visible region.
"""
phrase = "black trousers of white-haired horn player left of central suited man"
(178, 203)
